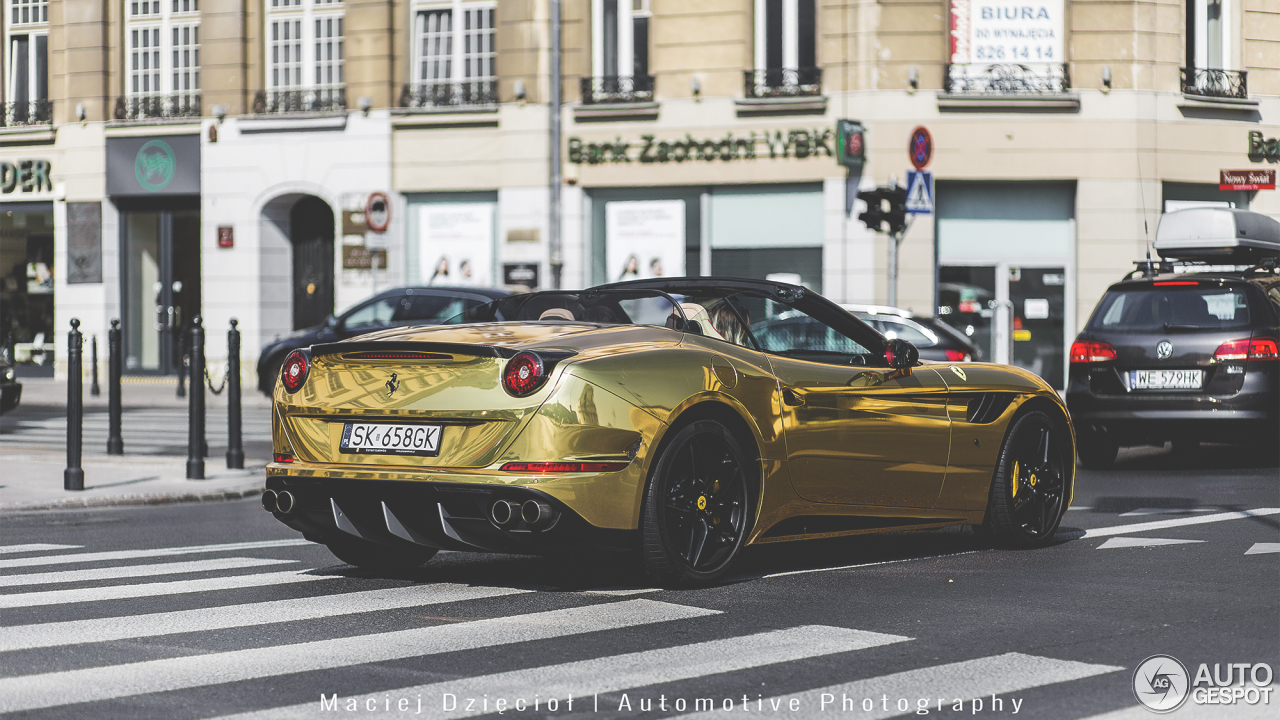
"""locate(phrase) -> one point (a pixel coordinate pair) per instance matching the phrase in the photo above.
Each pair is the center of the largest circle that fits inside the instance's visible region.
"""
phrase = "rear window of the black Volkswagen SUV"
(1181, 307)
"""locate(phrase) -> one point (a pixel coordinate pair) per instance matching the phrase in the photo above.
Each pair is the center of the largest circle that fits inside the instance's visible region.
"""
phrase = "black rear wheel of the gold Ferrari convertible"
(697, 508)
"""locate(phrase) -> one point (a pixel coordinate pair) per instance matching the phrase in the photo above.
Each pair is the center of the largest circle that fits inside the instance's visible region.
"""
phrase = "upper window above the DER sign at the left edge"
(28, 65)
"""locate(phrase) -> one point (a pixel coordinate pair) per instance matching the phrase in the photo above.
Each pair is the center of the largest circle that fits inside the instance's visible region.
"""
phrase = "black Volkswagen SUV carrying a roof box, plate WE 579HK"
(1182, 357)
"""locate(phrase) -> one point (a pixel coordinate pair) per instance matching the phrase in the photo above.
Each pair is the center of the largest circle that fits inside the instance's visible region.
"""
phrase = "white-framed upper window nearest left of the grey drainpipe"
(454, 56)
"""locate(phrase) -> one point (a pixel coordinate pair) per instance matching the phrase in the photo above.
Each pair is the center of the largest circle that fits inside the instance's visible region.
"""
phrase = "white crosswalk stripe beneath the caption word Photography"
(939, 685)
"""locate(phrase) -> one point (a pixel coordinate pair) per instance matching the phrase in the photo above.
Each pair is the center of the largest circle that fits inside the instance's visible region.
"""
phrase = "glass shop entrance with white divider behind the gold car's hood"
(1016, 315)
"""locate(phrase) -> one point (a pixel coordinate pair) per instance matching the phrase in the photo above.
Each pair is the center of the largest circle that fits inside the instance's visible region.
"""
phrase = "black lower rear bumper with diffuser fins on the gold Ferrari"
(429, 514)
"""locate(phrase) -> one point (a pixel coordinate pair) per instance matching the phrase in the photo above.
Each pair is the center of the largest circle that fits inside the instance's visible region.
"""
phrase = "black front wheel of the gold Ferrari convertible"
(1028, 493)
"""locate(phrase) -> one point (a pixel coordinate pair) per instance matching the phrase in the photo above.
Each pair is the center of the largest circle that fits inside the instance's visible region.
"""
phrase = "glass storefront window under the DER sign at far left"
(28, 288)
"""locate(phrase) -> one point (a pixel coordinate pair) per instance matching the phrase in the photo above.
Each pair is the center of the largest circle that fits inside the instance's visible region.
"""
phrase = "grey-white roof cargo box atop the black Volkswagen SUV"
(1218, 235)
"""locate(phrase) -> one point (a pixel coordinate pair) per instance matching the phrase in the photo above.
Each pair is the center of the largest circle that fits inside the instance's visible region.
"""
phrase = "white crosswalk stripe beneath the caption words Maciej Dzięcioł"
(618, 673)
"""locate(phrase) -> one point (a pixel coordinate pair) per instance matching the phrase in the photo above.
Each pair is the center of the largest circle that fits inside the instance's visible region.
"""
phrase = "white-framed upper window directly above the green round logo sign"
(162, 47)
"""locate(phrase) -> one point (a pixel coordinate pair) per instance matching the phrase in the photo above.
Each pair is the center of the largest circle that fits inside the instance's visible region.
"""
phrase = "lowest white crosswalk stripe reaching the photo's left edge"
(93, 685)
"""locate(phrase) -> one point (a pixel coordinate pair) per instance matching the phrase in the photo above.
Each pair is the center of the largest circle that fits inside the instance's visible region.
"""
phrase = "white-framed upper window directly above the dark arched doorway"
(305, 57)
